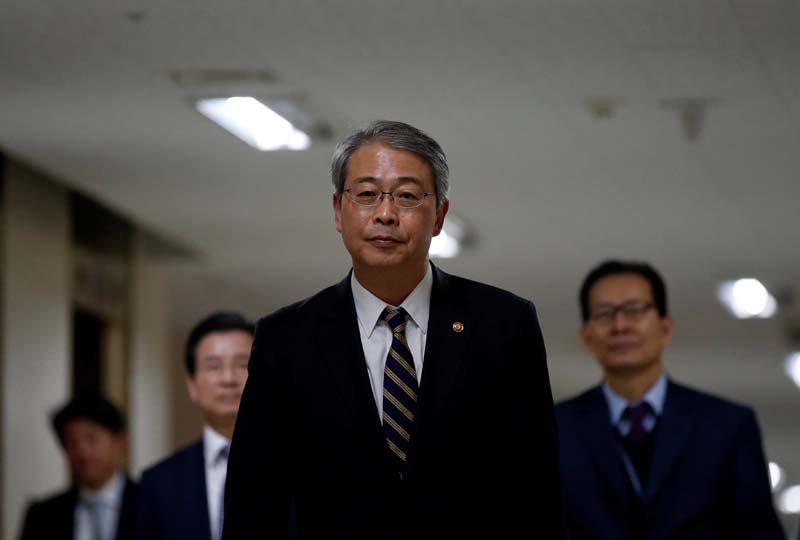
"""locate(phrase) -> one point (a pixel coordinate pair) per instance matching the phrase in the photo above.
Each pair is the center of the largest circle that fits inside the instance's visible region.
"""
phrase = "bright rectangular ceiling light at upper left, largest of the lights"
(254, 123)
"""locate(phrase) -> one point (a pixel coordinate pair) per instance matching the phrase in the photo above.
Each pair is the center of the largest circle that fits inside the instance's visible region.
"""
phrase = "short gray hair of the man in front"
(397, 135)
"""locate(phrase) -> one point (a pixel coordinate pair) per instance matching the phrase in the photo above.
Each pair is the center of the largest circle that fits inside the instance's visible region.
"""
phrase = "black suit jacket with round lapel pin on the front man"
(484, 442)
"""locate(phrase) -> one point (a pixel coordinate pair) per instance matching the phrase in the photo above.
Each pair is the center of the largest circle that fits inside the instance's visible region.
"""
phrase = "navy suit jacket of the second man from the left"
(173, 504)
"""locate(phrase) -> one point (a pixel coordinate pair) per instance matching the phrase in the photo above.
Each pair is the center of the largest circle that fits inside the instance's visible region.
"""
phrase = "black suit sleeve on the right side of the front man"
(533, 426)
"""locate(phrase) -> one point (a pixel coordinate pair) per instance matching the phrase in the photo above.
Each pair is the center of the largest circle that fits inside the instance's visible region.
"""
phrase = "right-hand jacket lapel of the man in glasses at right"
(671, 436)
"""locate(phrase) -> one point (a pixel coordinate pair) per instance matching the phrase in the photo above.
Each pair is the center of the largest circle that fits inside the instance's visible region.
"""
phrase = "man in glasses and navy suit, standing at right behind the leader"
(643, 457)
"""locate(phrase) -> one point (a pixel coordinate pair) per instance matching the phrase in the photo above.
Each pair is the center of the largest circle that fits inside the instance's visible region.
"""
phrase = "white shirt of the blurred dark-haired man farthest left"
(108, 501)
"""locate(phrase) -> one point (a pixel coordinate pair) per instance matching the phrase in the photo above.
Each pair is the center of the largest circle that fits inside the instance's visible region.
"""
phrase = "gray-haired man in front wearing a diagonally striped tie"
(402, 402)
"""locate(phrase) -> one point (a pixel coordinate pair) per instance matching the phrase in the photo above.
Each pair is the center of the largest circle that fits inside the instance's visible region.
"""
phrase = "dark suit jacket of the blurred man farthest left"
(54, 518)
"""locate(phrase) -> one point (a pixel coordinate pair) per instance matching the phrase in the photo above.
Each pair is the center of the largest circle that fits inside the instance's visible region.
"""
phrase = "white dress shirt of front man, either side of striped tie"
(376, 336)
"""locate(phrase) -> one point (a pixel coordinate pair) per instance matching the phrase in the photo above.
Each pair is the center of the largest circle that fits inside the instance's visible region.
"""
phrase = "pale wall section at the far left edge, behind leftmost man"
(36, 338)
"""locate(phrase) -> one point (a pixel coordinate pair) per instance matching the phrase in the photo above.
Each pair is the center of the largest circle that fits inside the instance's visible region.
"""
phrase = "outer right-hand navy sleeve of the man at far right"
(754, 510)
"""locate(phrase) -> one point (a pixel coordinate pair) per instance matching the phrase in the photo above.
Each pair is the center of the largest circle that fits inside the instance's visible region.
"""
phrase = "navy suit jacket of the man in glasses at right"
(708, 478)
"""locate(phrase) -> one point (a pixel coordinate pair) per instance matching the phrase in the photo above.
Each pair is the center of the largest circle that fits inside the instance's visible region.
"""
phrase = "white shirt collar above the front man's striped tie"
(369, 307)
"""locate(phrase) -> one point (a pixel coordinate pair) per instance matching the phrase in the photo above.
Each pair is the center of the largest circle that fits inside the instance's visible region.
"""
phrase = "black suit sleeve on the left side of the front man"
(257, 488)
